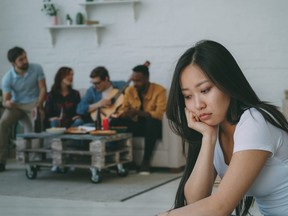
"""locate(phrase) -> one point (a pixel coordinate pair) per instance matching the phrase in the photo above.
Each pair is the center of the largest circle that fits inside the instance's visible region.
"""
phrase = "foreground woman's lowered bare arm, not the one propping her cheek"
(242, 172)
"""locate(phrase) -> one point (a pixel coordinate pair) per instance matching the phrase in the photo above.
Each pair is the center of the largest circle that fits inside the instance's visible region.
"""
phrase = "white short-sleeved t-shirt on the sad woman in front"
(270, 188)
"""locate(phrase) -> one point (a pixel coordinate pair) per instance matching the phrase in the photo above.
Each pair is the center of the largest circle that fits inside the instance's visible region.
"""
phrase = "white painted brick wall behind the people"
(254, 31)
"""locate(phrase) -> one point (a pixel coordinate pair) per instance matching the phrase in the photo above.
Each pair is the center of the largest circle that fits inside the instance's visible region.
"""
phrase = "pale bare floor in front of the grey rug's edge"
(147, 204)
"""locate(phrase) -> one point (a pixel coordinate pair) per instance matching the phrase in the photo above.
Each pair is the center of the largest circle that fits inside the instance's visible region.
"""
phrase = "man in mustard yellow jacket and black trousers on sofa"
(142, 112)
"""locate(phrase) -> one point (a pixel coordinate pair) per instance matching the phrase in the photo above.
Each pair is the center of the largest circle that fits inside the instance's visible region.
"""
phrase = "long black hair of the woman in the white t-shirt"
(222, 69)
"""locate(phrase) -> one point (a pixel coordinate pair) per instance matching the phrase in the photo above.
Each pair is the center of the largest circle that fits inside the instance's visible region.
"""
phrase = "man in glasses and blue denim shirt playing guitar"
(99, 95)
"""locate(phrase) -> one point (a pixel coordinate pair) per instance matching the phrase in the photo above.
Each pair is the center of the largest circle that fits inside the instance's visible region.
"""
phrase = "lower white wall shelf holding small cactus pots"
(63, 27)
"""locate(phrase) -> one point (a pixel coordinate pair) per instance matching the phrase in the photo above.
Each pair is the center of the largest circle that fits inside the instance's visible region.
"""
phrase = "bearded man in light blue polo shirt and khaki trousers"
(24, 88)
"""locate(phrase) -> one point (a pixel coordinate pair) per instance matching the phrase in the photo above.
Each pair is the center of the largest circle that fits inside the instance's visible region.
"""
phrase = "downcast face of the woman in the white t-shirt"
(202, 97)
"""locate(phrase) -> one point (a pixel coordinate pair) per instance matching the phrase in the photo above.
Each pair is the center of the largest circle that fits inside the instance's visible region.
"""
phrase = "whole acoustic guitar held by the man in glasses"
(116, 96)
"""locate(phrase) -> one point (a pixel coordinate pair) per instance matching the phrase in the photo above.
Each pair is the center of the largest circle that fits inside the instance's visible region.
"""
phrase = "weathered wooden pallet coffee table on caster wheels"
(104, 151)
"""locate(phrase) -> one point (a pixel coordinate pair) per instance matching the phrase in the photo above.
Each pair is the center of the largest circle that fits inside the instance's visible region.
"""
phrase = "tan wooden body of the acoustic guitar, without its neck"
(106, 112)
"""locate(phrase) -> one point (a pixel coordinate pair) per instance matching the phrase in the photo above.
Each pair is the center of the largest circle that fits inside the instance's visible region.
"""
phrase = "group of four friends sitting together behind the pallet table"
(140, 108)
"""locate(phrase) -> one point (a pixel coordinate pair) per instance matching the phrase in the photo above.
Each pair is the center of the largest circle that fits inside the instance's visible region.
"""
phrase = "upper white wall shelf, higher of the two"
(106, 2)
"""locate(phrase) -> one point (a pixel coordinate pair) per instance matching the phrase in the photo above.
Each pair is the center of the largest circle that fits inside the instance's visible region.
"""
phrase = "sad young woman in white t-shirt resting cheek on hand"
(230, 132)
